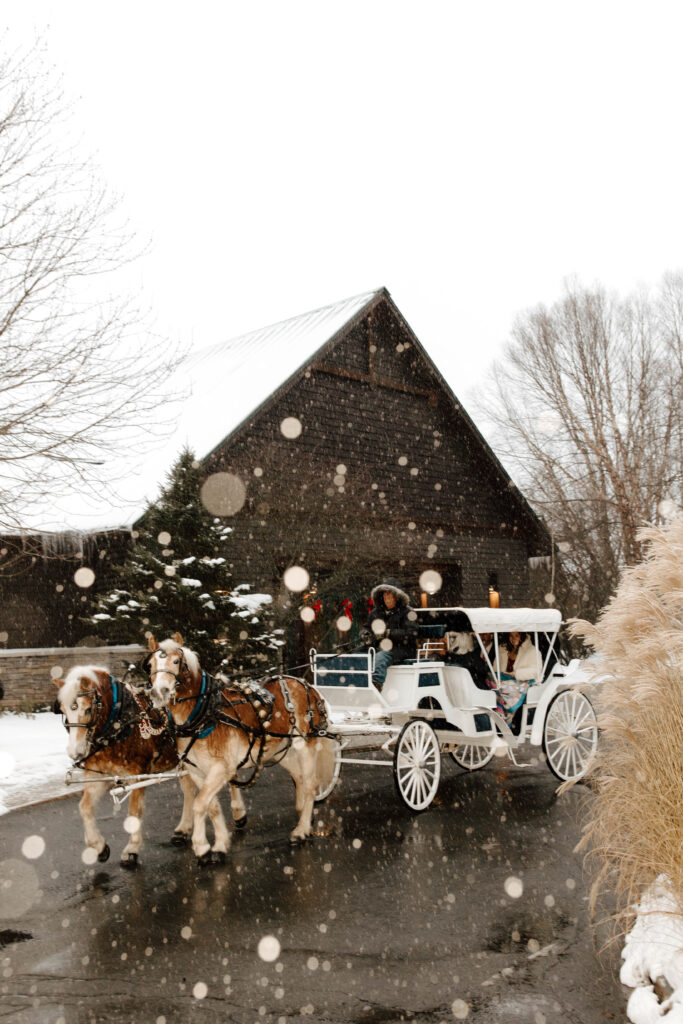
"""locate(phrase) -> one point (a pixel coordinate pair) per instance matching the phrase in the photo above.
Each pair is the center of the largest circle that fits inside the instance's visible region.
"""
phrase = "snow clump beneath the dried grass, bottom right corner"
(654, 950)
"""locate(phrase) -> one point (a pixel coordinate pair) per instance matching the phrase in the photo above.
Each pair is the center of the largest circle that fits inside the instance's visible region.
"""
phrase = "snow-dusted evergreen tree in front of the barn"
(177, 577)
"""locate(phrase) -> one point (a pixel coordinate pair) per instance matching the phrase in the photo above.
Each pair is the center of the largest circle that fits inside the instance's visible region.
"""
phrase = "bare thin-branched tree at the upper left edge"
(81, 372)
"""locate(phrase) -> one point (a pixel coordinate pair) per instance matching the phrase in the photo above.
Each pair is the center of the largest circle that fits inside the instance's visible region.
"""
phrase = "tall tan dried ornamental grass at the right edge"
(634, 831)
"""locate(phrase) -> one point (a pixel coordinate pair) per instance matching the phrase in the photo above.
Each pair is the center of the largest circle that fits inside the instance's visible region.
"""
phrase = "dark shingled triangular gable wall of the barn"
(389, 473)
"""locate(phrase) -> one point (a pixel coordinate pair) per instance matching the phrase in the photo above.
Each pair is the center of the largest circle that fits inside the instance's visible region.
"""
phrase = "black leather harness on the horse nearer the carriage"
(219, 703)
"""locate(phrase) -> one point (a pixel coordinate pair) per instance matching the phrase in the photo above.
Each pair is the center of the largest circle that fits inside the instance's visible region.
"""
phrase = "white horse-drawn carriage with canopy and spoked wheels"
(430, 707)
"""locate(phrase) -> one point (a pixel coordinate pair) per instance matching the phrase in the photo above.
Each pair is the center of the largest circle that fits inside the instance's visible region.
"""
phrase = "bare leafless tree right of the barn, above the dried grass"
(587, 409)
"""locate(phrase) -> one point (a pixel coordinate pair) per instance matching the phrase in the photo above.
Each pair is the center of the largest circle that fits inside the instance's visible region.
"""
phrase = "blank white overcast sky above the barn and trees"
(282, 156)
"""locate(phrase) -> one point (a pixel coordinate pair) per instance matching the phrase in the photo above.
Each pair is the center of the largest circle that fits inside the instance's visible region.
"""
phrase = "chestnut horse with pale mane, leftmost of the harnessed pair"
(115, 732)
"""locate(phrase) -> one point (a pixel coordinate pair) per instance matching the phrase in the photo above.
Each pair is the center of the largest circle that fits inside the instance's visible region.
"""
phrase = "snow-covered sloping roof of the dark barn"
(219, 388)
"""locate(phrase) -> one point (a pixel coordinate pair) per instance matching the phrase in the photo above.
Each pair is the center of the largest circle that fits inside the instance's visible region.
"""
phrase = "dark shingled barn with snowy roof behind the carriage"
(354, 460)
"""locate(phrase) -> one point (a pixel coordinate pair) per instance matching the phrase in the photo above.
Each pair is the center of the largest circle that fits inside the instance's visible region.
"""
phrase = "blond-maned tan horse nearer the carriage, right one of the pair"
(222, 729)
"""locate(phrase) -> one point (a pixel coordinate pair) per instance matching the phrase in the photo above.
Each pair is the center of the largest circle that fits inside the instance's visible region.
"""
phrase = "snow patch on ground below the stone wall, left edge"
(33, 759)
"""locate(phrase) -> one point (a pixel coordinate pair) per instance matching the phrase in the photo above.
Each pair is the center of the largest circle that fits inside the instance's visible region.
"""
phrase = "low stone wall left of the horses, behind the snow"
(28, 675)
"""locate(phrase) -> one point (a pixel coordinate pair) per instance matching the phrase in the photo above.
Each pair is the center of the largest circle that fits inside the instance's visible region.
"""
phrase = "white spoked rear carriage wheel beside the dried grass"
(570, 735)
